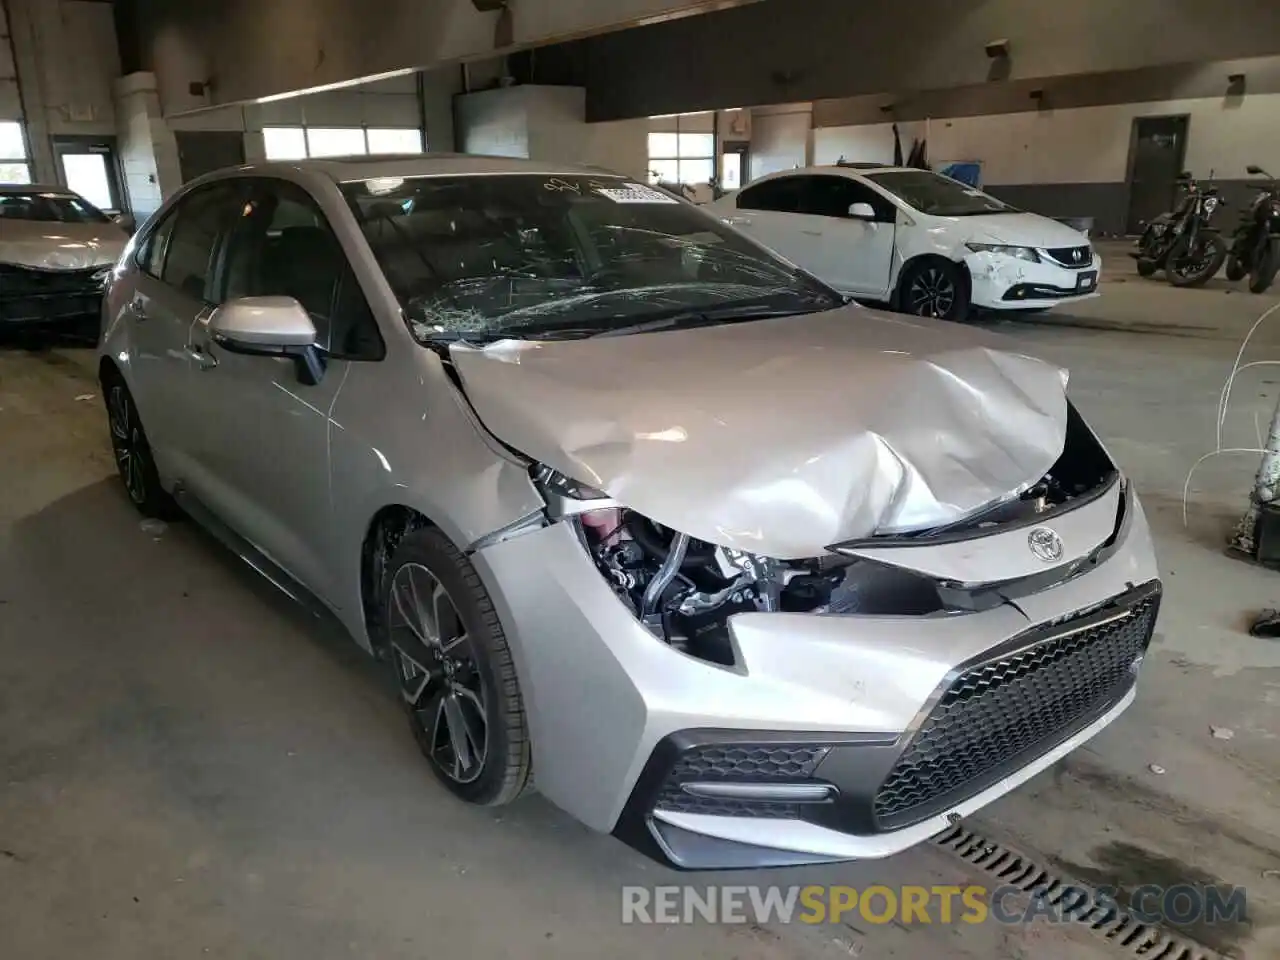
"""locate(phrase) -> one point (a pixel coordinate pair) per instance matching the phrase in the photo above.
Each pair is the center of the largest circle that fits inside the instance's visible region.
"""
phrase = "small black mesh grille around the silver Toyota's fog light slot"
(739, 764)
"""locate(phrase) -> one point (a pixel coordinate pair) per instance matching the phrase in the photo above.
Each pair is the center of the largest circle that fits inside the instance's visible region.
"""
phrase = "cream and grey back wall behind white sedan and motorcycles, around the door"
(1075, 163)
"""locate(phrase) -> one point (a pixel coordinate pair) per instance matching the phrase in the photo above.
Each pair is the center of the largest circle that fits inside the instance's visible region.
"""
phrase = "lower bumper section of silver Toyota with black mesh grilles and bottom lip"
(991, 724)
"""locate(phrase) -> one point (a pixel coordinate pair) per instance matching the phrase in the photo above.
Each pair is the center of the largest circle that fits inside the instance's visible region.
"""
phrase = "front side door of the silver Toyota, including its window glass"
(264, 449)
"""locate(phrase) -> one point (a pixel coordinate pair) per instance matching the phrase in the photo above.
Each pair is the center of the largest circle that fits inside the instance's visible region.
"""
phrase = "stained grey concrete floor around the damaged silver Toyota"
(193, 767)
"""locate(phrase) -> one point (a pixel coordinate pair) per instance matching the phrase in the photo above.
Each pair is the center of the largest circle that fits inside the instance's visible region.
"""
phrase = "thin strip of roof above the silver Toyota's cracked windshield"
(344, 170)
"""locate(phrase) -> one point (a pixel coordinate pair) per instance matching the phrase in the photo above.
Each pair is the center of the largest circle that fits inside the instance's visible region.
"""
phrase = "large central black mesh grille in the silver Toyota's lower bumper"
(999, 712)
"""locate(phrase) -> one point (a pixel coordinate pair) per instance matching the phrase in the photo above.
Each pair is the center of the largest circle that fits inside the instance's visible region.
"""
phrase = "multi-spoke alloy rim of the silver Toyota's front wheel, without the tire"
(440, 678)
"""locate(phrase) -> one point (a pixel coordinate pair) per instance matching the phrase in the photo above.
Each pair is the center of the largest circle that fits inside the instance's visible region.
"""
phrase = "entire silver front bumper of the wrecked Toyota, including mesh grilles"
(620, 723)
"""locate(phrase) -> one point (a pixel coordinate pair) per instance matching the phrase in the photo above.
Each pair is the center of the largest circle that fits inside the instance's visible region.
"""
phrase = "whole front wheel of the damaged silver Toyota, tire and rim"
(455, 671)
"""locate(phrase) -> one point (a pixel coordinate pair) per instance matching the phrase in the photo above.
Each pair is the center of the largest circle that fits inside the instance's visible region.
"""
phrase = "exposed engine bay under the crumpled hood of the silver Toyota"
(685, 591)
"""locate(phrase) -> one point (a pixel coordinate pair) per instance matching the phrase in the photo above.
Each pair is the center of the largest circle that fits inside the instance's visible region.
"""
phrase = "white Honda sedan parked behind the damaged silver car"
(926, 244)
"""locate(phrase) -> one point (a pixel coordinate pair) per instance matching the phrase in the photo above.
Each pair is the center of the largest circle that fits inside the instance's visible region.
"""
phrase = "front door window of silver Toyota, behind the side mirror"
(284, 246)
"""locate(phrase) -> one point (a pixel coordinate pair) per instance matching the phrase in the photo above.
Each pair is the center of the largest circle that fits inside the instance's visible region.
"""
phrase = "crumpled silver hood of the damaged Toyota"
(781, 437)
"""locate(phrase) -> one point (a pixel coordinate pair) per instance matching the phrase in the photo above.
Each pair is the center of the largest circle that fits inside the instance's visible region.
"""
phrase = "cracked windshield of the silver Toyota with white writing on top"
(527, 257)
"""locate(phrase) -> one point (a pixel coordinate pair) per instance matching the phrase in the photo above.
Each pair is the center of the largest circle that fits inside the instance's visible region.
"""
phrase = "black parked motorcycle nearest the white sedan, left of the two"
(1183, 243)
